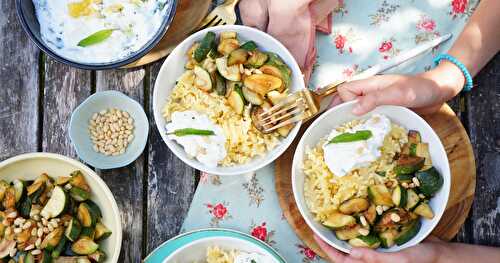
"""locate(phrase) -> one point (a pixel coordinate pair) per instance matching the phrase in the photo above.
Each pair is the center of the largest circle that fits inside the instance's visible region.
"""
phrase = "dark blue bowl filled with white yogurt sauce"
(96, 34)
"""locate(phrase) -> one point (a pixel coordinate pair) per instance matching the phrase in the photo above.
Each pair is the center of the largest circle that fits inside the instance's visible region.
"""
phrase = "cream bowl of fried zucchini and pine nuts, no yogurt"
(55, 209)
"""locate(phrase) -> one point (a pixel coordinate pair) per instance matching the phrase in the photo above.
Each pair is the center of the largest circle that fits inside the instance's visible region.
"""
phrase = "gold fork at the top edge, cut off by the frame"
(224, 14)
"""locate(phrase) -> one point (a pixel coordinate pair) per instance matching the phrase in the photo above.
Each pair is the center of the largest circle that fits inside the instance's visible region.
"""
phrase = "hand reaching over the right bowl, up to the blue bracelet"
(425, 93)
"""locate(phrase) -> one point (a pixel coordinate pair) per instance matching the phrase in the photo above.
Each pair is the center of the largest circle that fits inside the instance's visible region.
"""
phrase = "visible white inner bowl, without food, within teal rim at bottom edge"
(196, 251)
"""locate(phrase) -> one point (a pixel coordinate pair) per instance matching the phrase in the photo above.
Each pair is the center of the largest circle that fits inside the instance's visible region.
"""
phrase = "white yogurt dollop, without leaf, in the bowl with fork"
(209, 150)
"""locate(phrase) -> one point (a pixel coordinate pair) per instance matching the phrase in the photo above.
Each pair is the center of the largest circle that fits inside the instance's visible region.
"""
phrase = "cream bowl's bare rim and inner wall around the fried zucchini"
(30, 166)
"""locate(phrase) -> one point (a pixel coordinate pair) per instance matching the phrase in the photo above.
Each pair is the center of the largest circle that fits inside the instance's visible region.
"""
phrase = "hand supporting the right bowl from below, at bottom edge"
(426, 252)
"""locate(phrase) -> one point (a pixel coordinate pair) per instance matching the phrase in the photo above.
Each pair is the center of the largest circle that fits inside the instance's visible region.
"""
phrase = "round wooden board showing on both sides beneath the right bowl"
(463, 182)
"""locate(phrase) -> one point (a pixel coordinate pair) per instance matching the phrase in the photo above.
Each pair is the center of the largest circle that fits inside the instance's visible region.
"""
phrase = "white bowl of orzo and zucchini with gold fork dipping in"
(209, 92)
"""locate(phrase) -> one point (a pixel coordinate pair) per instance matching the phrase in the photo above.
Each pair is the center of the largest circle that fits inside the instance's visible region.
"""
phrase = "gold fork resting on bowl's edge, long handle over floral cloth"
(304, 105)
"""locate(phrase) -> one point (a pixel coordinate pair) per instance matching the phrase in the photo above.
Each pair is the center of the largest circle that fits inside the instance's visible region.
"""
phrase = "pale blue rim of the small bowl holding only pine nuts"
(133, 155)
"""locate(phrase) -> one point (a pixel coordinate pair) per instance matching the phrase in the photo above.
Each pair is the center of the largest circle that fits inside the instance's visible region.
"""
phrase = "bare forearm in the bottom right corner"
(456, 252)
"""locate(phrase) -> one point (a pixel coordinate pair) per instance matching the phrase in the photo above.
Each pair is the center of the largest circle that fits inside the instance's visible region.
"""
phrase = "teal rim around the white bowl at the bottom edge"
(168, 247)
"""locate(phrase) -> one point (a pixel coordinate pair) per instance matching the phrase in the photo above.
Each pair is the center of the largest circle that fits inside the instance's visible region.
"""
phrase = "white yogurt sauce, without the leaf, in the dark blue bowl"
(135, 23)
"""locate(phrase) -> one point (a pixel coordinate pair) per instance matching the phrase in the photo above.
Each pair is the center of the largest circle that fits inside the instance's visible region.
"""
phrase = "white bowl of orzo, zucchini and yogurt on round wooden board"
(379, 181)
